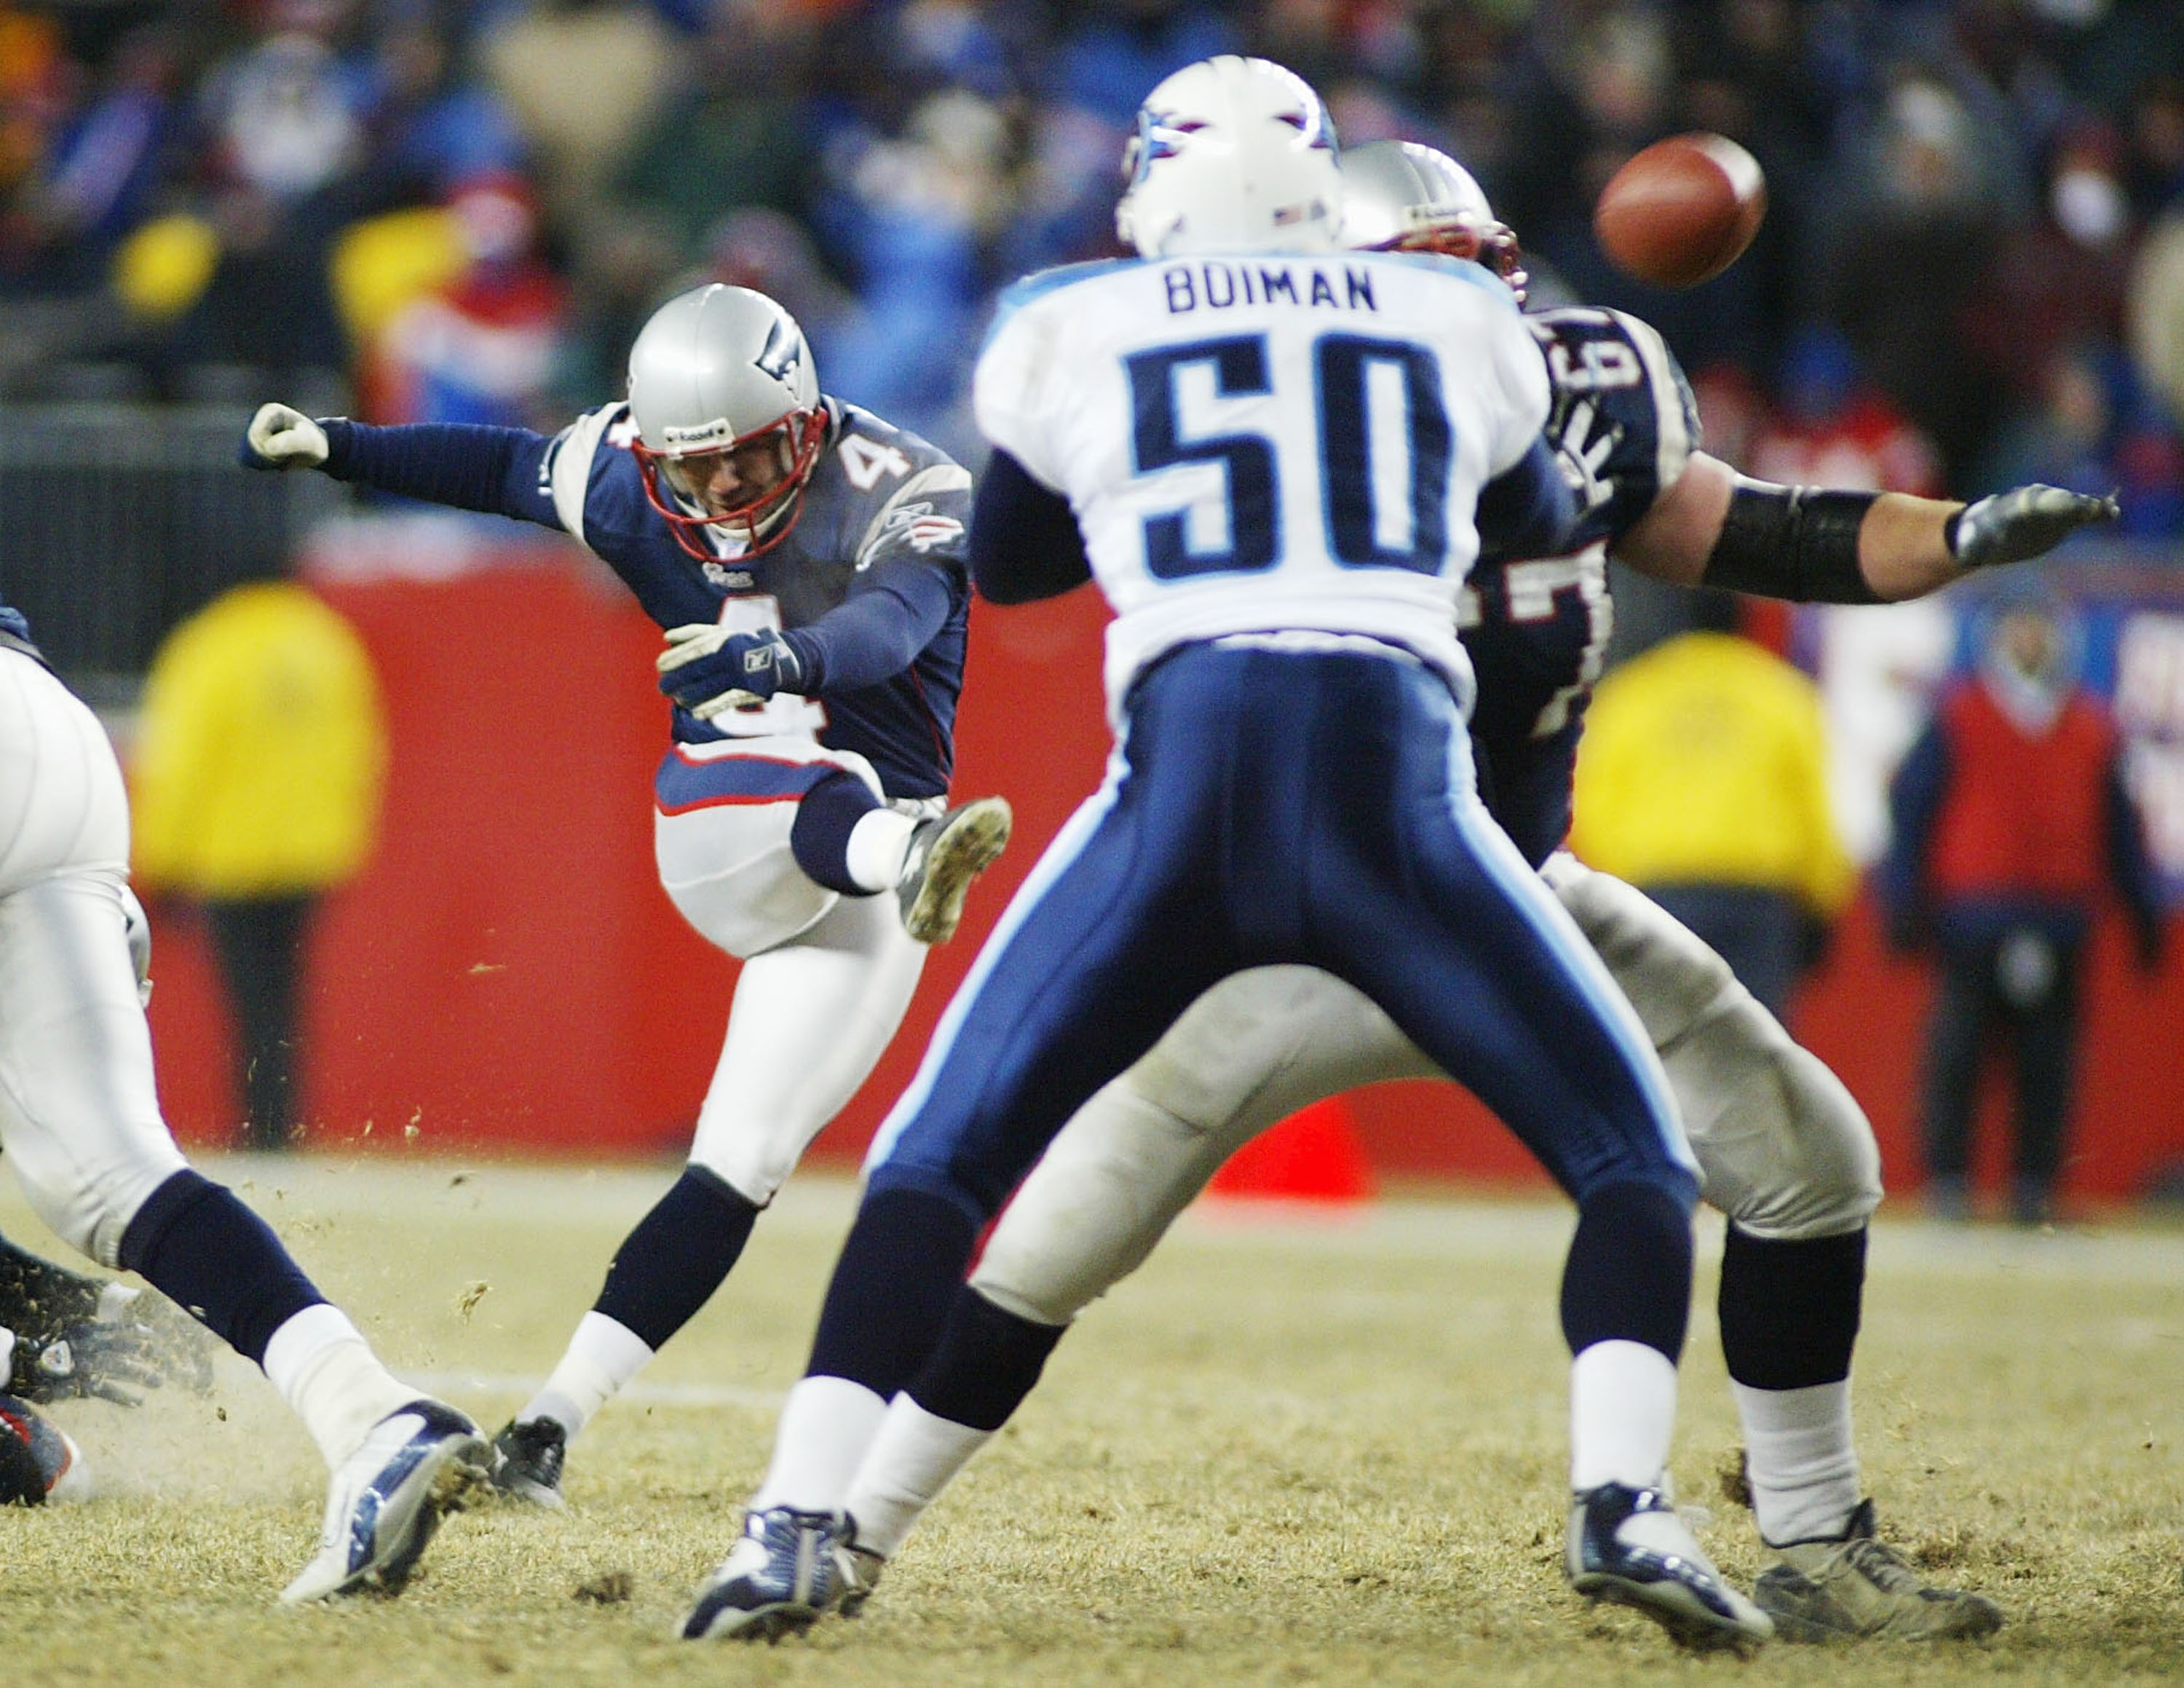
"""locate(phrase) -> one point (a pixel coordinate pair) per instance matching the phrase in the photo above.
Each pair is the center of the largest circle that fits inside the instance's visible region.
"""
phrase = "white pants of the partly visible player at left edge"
(80, 1117)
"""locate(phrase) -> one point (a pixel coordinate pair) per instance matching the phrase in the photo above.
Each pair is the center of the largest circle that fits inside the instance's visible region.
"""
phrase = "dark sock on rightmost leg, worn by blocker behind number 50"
(1790, 1311)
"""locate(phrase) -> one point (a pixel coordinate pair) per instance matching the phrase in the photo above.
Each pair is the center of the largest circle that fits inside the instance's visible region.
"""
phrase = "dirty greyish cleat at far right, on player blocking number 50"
(1857, 1586)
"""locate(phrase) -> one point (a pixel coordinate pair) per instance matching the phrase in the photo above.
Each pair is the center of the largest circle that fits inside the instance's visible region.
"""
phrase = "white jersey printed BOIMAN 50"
(1272, 442)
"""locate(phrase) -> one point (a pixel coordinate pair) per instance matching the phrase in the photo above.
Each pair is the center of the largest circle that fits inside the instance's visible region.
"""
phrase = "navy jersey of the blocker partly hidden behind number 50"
(1536, 630)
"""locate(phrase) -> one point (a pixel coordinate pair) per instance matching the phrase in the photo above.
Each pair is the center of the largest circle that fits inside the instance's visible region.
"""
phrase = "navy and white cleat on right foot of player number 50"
(1630, 1547)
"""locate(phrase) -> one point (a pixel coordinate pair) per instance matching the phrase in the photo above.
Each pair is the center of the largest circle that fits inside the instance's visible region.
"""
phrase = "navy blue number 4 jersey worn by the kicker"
(881, 525)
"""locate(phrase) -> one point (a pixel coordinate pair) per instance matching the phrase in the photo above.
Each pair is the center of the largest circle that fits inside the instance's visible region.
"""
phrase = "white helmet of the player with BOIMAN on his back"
(1231, 156)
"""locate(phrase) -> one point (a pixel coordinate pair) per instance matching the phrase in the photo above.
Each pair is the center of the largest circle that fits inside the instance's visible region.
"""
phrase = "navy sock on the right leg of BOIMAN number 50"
(1628, 1276)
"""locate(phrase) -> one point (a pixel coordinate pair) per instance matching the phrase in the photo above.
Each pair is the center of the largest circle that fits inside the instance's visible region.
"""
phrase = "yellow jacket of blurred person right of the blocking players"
(1705, 763)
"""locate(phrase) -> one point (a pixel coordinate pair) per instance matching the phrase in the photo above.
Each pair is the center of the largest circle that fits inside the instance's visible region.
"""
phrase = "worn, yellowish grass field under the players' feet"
(1285, 1453)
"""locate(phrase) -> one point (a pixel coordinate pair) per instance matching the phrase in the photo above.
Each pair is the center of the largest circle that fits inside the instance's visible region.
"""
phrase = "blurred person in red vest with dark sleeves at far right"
(2013, 824)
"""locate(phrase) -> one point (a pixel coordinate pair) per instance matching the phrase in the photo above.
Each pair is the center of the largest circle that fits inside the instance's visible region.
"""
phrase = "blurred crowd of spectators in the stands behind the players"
(460, 211)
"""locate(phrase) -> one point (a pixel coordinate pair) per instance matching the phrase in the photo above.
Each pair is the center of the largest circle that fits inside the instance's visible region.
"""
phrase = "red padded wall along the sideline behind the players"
(510, 977)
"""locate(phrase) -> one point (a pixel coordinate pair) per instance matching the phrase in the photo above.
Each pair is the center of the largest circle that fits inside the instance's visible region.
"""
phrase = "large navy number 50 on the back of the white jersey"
(1346, 368)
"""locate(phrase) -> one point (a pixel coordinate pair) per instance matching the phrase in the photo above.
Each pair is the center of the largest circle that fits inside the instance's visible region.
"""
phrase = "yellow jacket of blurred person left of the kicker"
(263, 750)
